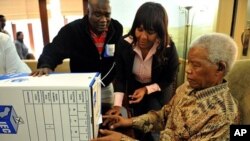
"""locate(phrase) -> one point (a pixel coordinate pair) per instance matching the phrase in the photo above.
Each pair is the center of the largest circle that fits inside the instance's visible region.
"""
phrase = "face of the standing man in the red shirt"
(99, 16)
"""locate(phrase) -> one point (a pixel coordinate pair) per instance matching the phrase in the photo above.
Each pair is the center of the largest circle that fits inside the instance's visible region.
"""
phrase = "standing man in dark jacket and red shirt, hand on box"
(89, 43)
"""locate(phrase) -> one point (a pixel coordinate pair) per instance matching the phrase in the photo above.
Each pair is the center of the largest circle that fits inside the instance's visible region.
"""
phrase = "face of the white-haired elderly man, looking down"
(201, 73)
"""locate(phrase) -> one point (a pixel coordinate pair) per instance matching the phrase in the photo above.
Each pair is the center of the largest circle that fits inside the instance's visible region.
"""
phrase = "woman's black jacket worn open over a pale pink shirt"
(162, 73)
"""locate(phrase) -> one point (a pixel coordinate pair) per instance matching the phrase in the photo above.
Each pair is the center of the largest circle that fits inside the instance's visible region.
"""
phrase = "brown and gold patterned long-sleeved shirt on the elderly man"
(194, 115)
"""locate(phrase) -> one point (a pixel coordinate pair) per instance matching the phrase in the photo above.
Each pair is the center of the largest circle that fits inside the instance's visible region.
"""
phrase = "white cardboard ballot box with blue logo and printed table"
(58, 107)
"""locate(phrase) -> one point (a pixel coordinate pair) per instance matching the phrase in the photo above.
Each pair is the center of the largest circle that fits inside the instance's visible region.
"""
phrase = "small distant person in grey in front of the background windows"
(21, 48)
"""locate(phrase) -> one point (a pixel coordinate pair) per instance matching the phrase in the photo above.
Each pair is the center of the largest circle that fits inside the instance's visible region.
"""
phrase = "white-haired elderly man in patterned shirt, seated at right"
(203, 107)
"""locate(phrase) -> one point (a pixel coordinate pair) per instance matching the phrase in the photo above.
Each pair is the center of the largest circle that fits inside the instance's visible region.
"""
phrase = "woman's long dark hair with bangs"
(152, 16)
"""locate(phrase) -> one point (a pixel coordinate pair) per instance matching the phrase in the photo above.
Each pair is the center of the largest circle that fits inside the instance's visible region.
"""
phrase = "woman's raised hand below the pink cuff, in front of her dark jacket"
(137, 95)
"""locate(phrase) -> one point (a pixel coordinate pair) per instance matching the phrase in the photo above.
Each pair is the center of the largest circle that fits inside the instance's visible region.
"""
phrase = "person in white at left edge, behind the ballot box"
(9, 59)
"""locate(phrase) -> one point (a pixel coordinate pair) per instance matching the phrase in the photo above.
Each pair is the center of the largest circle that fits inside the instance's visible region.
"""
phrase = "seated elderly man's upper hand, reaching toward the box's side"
(114, 121)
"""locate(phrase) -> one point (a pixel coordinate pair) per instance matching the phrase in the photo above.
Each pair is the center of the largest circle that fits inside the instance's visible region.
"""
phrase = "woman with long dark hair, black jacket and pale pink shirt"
(146, 63)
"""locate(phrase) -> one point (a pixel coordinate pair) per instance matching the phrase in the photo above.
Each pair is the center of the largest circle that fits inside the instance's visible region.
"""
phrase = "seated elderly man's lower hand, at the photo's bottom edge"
(108, 136)
